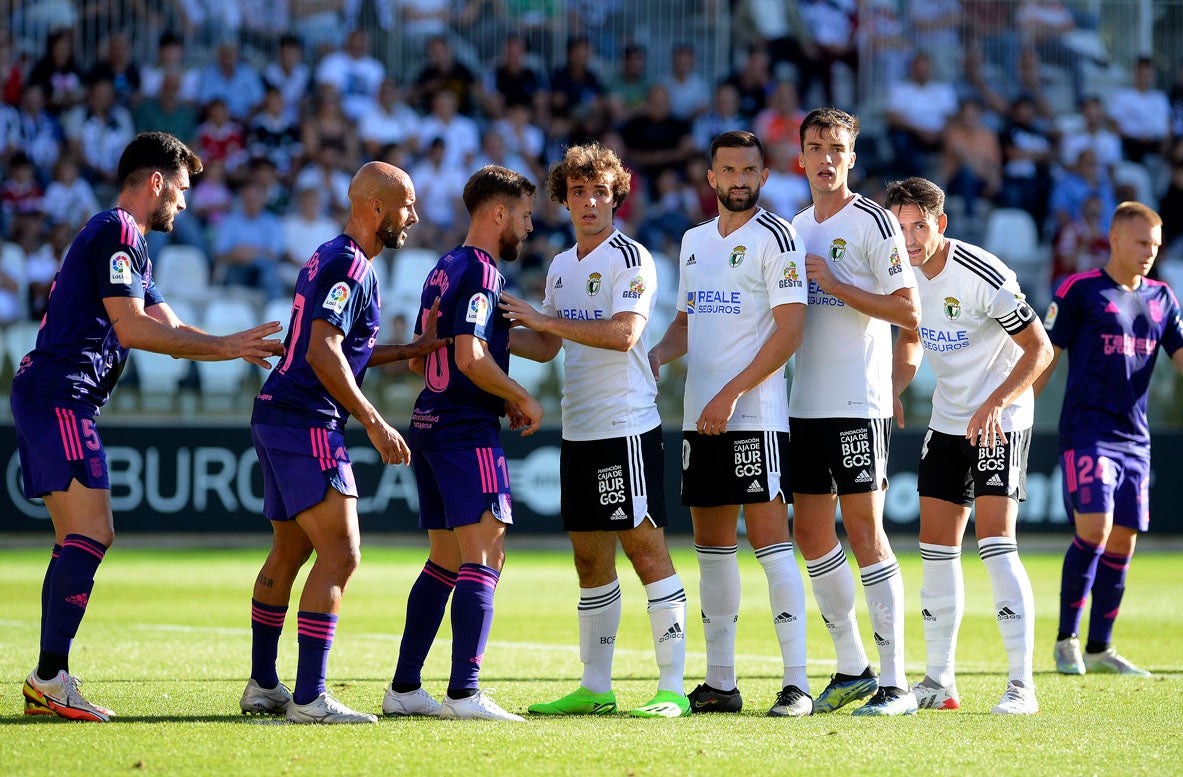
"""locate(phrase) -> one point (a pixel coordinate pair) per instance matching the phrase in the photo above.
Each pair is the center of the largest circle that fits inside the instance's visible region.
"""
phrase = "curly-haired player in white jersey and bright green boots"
(598, 300)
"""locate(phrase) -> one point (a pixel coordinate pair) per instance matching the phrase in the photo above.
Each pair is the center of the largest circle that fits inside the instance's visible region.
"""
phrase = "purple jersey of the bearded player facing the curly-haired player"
(451, 412)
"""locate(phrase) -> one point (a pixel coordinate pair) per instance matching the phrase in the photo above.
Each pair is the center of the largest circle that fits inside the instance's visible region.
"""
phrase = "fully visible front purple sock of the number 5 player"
(73, 580)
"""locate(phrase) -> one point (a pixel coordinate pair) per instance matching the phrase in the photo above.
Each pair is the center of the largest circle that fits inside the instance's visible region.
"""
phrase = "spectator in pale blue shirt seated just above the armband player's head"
(919, 111)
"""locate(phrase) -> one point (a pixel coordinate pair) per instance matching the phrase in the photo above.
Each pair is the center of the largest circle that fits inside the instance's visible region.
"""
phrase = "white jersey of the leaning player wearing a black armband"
(968, 315)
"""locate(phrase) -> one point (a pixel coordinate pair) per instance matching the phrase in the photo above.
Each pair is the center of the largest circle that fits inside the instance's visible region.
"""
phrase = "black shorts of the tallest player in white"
(839, 456)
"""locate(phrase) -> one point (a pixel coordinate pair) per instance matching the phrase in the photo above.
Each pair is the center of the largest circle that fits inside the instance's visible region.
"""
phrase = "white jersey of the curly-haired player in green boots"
(606, 393)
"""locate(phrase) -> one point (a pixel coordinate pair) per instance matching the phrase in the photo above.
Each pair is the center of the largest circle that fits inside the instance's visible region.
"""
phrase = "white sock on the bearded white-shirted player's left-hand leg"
(719, 591)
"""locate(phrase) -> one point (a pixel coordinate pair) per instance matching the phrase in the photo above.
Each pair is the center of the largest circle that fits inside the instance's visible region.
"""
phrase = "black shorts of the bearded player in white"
(733, 469)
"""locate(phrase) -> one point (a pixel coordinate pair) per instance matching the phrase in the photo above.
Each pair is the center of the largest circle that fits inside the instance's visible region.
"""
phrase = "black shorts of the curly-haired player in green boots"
(613, 485)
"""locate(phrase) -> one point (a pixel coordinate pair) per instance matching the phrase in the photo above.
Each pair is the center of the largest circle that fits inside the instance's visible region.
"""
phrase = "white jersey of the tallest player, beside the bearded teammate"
(844, 364)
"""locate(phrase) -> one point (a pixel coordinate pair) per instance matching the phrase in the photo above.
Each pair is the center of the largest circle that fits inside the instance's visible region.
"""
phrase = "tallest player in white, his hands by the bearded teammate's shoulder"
(841, 410)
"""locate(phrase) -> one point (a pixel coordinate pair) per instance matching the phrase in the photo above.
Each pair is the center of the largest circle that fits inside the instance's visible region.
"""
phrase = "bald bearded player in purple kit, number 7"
(300, 416)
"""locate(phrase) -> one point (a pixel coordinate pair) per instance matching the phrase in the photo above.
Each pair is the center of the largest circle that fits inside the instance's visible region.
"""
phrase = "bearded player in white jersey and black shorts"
(742, 294)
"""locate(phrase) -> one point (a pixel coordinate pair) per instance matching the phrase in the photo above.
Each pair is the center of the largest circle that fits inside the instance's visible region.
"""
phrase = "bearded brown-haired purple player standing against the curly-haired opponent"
(461, 471)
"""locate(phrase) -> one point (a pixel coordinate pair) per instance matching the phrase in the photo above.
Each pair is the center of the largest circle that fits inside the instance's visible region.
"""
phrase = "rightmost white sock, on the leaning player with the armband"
(1014, 604)
